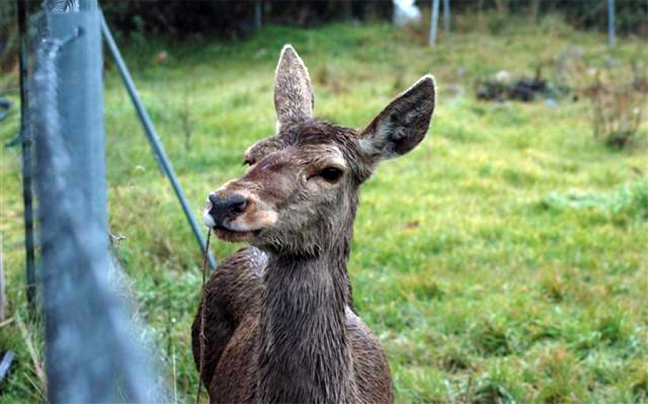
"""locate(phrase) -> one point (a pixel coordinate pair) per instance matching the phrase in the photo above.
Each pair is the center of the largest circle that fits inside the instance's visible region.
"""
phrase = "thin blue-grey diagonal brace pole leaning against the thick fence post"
(152, 136)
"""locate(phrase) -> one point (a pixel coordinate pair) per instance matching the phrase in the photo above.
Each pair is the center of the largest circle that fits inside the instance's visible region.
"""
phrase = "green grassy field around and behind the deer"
(504, 259)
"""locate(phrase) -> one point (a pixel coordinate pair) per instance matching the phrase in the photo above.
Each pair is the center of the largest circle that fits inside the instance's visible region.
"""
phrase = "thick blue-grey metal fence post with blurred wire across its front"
(90, 352)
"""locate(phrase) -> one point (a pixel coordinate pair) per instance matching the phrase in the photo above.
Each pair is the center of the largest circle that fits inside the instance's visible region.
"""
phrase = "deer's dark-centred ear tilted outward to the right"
(403, 124)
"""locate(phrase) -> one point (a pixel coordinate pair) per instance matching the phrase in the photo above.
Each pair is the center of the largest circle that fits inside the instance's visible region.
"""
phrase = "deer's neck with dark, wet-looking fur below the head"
(304, 351)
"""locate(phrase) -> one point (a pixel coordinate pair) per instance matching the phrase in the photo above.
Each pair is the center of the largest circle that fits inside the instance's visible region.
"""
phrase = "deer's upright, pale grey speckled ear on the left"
(293, 92)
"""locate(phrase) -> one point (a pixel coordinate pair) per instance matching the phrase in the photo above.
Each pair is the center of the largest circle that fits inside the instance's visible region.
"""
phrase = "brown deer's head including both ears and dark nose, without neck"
(300, 193)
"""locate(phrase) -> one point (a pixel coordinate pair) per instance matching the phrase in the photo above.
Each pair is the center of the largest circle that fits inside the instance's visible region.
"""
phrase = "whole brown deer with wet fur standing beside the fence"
(279, 320)
